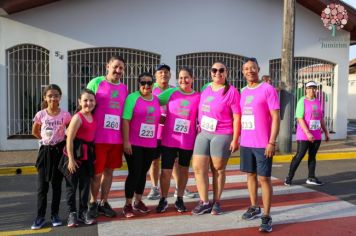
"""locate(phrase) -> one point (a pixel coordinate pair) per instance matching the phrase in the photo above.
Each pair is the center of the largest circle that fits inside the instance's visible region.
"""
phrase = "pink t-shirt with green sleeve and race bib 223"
(144, 116)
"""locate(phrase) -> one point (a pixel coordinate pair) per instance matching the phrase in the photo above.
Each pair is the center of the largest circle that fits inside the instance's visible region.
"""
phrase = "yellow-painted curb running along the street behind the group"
(235, 160)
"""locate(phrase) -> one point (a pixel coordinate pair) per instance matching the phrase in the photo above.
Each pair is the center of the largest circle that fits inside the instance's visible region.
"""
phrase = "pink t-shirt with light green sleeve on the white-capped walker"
(311, 112)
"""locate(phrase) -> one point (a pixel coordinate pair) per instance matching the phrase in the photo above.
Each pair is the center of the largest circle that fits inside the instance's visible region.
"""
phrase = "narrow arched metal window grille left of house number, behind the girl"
(27, 69)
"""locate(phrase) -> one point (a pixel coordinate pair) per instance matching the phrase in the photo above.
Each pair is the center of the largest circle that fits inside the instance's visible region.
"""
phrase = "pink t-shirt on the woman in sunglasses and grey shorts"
(216, 110)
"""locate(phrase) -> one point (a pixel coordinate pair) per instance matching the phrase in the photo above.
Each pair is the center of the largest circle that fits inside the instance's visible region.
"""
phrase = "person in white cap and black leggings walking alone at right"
(310, 123)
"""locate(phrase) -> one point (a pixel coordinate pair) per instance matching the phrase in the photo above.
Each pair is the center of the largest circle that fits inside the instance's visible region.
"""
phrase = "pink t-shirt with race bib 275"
(182, 110)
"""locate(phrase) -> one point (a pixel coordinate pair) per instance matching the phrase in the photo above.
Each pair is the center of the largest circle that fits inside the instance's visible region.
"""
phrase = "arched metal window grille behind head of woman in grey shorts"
(201, 63)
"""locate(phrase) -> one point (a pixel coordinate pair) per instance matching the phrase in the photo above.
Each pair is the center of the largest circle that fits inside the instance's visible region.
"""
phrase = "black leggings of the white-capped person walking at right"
(302, 148)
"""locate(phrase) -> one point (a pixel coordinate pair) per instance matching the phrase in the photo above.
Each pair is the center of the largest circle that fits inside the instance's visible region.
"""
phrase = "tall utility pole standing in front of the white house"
(286, 126)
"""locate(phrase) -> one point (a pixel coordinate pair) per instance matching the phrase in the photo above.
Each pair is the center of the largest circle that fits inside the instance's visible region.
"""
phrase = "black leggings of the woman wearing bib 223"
(138, 164)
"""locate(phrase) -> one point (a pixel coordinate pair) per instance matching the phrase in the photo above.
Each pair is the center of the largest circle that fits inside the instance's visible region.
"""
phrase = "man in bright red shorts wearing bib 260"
(110, 98)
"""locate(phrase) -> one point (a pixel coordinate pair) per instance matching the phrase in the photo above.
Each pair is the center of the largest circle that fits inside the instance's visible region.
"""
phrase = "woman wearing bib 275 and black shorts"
(178, 136)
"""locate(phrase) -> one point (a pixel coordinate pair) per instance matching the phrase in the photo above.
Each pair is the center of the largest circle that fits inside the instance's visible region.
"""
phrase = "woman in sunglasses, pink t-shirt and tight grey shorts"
(219, 121)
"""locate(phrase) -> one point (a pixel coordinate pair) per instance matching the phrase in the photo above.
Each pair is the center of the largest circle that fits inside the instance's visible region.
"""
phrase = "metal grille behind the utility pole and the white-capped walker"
(310, 69)
